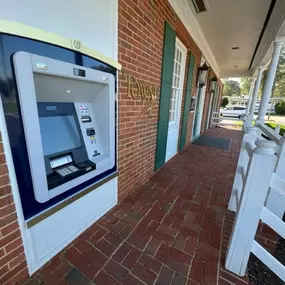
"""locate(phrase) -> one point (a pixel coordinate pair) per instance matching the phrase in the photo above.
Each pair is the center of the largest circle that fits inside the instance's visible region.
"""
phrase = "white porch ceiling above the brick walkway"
(231, 23)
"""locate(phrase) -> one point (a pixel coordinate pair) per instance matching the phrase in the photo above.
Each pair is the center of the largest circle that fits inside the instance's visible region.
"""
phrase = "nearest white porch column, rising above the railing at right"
(269, 82)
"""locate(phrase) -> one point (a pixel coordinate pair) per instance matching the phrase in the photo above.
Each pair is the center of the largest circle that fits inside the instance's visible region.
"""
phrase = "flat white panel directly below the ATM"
(50, 236)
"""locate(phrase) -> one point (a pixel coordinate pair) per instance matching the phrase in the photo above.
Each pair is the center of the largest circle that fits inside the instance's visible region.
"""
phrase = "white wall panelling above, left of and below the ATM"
(73, 24)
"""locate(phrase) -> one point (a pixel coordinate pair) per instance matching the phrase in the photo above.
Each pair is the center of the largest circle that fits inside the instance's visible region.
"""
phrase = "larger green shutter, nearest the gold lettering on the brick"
(165, 94)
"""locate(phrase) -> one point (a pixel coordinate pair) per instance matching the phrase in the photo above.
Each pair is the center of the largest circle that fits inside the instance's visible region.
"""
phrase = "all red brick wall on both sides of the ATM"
(141, 31)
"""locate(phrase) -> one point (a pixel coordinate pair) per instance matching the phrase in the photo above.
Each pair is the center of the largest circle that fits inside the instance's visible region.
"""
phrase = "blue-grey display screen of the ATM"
(59, 133)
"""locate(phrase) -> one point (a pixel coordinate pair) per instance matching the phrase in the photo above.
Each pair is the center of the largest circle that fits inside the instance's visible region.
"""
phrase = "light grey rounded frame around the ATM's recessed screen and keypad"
(41, 79)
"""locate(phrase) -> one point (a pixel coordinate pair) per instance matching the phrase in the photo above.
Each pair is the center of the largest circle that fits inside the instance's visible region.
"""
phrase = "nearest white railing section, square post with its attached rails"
(261, 180)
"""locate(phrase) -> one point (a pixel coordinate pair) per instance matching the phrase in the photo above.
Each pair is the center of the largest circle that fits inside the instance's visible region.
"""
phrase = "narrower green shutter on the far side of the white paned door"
(187, 102)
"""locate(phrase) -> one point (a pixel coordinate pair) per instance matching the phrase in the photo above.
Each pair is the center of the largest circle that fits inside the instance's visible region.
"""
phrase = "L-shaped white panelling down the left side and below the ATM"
(47, 238)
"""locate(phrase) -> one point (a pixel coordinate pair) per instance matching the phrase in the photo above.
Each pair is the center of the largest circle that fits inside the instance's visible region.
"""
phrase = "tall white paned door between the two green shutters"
(176, 99)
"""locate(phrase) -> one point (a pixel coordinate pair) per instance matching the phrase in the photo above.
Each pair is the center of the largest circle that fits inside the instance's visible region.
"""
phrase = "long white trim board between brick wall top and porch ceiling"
(188, 18)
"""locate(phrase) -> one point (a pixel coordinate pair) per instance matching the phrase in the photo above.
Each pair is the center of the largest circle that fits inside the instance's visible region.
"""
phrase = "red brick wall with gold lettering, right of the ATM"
(141, 31)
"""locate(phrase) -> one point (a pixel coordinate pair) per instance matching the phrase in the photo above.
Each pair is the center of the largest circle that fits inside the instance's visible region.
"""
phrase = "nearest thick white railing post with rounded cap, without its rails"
(260, 170)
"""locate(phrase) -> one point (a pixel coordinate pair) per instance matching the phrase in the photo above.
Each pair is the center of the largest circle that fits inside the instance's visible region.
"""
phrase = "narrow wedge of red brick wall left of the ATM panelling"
(13, 266)
